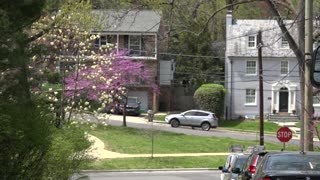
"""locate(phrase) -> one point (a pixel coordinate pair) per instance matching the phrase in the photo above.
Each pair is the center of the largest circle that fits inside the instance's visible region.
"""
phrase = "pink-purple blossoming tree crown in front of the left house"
(106, 83)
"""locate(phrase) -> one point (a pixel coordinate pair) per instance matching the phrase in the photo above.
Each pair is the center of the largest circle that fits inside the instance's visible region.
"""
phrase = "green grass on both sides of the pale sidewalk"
(135, 141)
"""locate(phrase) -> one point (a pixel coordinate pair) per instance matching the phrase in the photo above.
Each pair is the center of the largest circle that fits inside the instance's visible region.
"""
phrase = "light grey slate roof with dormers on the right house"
(238, 32)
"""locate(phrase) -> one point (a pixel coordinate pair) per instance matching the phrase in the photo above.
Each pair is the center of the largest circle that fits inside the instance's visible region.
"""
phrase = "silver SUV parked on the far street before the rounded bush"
(194, 118)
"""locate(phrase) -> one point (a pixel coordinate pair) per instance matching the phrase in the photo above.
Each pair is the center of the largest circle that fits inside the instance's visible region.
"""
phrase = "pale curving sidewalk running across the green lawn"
(98, 151)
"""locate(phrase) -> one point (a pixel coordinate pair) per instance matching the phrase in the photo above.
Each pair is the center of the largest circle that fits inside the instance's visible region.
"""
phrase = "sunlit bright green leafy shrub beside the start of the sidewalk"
(67, 152)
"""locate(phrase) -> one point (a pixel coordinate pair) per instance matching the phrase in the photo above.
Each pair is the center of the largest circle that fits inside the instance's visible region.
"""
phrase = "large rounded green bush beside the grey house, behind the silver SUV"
(210, 97)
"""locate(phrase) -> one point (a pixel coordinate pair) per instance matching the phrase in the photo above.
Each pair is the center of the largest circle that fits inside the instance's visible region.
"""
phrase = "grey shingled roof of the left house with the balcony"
(141, 21)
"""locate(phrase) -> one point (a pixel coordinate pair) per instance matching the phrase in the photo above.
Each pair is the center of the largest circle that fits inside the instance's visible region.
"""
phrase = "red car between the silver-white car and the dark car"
(249, 167)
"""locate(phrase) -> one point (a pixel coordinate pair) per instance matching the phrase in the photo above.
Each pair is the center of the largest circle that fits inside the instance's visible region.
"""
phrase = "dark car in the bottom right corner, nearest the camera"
(289, 165)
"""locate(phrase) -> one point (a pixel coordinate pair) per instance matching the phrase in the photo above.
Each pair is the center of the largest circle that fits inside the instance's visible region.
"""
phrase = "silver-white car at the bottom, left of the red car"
(233, 166)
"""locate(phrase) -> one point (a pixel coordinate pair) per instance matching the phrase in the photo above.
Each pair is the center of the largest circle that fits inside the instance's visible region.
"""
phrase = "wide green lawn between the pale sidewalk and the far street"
(135, 141)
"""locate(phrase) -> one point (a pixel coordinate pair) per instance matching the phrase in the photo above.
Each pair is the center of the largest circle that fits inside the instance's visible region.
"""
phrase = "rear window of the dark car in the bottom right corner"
(294, 162)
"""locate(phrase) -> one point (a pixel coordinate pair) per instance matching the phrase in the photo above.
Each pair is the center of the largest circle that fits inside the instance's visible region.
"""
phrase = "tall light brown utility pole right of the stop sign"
(308, 140)
